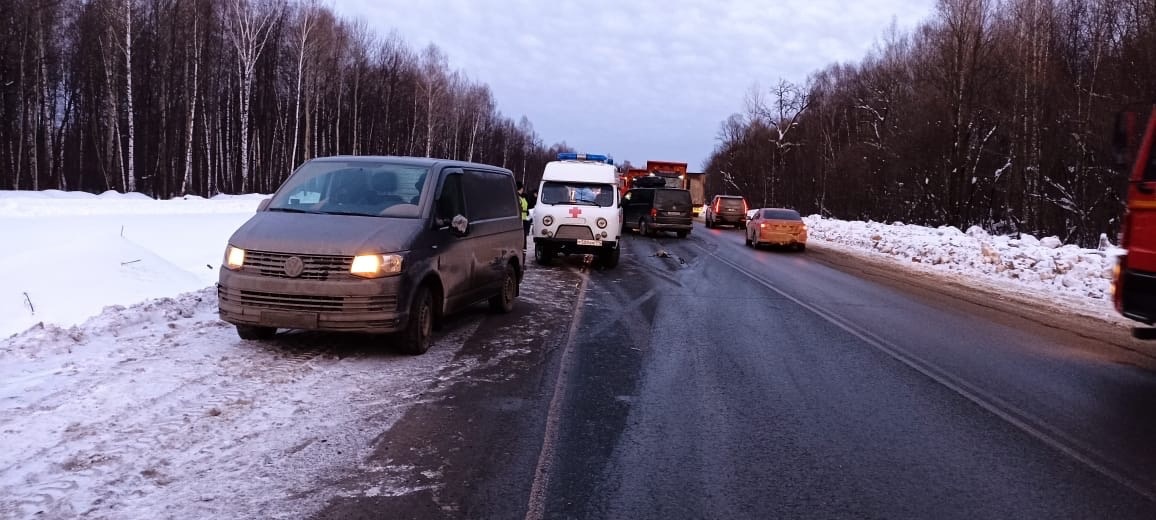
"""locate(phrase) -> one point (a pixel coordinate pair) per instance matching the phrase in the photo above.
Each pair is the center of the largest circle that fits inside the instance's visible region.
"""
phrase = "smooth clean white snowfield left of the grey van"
(71, 254)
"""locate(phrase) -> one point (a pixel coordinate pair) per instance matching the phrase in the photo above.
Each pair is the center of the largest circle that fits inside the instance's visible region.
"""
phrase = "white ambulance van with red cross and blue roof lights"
(579, 210)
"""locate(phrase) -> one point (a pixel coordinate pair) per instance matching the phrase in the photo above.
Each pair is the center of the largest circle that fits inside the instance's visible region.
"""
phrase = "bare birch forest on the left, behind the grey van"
(173, 98)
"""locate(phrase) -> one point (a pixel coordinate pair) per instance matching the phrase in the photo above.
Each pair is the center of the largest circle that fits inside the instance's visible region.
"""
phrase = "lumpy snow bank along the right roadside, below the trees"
(1041, 264)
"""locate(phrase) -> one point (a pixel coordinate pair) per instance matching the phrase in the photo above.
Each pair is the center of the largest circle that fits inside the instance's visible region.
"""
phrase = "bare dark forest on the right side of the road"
(992, 114)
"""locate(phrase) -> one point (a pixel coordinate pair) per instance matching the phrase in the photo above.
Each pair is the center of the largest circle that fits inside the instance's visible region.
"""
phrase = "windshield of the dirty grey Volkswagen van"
(354, 188)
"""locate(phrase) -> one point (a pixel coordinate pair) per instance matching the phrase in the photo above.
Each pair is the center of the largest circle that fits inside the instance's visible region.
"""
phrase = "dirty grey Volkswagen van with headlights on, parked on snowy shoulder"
(375, 246)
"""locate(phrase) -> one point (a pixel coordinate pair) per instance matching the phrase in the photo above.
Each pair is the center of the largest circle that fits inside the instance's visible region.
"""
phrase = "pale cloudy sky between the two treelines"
(638, 79)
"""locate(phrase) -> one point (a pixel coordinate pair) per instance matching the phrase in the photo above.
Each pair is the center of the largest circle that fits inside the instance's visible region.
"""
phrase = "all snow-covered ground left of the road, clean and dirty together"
(124, 397)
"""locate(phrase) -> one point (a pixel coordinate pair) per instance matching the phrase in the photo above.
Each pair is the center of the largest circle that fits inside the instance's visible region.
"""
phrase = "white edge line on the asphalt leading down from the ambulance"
(536, 509)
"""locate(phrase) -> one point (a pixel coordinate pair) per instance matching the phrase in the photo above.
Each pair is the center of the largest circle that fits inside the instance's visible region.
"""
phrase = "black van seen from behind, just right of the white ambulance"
(650, 211)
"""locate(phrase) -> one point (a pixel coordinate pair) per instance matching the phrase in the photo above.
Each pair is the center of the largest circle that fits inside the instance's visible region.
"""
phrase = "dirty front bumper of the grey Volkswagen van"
(347, 306)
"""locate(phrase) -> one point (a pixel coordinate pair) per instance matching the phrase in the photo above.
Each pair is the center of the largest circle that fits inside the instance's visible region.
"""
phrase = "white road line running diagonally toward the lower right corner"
(1013, 415)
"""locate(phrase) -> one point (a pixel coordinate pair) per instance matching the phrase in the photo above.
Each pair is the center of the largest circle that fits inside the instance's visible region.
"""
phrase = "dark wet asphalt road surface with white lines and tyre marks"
(706, 380)
